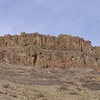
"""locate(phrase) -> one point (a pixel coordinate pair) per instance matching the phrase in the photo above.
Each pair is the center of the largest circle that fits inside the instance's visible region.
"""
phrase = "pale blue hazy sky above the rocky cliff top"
(54, 17)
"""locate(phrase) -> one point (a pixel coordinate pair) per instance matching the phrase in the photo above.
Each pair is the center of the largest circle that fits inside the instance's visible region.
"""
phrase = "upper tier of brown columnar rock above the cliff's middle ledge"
(63, 42)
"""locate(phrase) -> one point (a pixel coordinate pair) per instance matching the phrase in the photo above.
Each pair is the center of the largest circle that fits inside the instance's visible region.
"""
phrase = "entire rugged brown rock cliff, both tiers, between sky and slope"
(45, 51)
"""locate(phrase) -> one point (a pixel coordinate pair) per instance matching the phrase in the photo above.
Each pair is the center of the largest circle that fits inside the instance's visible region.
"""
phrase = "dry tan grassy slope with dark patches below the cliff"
(27, 83)
